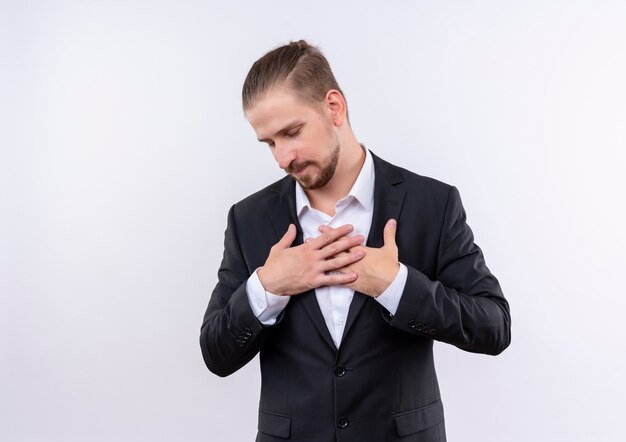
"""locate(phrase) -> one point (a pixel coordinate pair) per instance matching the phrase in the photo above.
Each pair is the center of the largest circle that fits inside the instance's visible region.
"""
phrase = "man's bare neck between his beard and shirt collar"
(351, 159)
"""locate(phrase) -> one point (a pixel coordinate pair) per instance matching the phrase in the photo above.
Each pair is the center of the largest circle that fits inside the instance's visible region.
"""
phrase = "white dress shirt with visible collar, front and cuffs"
(357, 209)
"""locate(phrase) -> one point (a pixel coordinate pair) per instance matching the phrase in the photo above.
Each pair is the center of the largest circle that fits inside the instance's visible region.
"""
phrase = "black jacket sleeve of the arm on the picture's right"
(464, 305)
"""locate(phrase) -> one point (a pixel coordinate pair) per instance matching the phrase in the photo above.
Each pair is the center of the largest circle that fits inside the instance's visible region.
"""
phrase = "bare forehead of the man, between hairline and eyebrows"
(276, 109)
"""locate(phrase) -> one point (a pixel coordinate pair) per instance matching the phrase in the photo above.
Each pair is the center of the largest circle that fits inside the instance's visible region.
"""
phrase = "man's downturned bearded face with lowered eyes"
(300, 136)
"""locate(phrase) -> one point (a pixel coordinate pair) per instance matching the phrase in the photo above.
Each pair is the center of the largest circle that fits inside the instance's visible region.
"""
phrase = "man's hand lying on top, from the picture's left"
(293, 270)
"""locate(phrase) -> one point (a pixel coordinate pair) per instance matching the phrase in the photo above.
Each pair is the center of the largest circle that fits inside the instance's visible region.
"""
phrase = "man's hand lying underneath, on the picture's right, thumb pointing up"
(378, 268)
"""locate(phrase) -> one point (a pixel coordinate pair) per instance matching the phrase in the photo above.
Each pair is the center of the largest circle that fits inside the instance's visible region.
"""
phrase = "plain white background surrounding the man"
(123, 145)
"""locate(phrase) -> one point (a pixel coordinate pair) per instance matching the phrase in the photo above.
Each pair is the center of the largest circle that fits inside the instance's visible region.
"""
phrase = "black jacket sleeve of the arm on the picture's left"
(231, 335)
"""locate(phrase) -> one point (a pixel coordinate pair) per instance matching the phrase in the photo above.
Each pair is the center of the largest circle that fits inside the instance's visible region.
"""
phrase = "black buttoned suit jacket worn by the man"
(380, 385)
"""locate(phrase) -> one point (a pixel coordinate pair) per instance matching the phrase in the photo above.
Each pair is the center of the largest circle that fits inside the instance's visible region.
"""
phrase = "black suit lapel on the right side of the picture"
(388, 201)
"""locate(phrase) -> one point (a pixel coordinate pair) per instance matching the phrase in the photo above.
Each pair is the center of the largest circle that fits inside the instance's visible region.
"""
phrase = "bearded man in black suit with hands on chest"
(343, 273)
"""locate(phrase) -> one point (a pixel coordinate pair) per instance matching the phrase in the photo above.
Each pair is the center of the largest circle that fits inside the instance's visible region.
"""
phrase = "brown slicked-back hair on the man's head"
(301, 67)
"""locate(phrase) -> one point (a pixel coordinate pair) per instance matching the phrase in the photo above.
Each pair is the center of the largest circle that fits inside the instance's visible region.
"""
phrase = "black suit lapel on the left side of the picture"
(282, 212)
